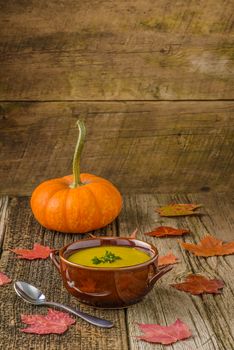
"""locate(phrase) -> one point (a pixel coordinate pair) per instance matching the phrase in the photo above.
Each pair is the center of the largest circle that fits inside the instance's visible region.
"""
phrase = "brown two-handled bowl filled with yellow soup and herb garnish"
(109, 272)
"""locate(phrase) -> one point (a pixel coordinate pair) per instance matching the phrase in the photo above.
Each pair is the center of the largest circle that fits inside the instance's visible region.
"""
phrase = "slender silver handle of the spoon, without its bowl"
(91, 319)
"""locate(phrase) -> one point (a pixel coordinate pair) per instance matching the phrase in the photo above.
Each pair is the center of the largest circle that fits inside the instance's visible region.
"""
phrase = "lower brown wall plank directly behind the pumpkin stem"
(143, 147)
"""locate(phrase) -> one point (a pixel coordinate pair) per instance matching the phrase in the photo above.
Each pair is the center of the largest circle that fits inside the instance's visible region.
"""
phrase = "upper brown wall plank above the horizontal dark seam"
(108, 50)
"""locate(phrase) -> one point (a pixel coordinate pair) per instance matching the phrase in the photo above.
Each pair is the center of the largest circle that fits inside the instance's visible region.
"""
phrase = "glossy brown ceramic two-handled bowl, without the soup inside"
(109, 287)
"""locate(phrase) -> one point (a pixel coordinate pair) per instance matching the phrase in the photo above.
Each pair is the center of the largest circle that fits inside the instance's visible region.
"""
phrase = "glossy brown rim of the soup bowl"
(122, 268)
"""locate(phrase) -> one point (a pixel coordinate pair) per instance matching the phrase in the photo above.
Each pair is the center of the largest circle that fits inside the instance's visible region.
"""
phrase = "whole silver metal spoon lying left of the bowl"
(34, 296)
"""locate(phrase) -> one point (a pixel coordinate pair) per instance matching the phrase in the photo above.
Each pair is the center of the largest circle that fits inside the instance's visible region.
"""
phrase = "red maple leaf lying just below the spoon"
(54, 322)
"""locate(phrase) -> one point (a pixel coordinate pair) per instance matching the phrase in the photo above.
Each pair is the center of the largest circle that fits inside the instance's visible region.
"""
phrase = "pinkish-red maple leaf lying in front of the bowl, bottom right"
(154, 333)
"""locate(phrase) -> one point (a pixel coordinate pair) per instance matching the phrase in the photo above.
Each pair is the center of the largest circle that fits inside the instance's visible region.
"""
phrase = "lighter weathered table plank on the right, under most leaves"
(210, 318)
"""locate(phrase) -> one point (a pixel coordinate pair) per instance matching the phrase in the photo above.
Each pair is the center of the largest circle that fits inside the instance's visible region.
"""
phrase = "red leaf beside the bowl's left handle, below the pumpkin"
(38, 252)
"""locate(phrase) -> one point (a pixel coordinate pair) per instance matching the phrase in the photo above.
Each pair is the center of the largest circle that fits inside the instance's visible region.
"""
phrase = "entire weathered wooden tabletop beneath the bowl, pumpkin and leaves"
(210, 317)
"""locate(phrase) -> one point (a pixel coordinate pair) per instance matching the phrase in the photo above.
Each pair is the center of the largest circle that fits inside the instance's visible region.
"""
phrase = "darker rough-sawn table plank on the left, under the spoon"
(23, 231)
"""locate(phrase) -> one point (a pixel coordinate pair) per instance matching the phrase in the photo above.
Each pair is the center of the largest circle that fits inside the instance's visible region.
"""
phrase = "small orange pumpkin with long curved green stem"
(76, 203)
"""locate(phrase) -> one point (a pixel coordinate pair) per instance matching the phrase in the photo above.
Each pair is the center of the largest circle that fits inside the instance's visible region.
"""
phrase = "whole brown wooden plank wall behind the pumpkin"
(153, 79)
